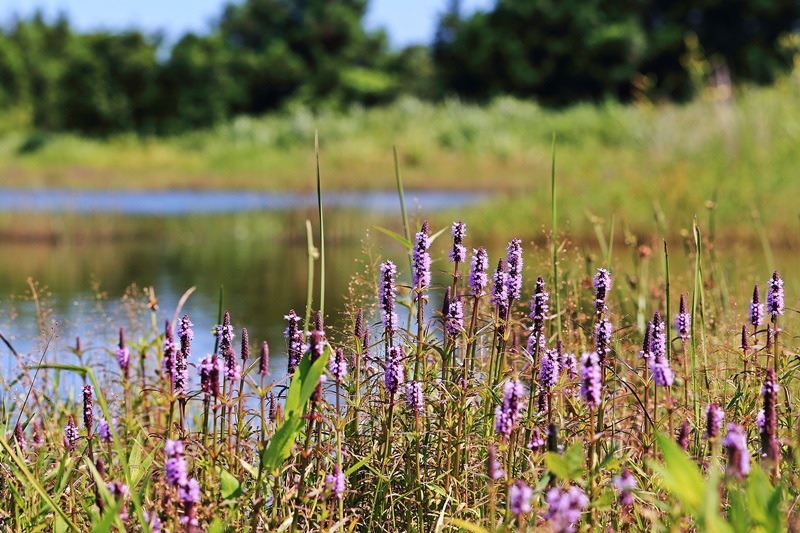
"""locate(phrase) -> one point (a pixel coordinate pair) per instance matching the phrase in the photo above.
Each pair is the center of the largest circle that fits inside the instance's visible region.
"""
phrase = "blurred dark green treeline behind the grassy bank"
(262, 55)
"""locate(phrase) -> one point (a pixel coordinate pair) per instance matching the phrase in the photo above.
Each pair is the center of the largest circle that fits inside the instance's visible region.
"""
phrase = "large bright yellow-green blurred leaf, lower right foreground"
(680, 476)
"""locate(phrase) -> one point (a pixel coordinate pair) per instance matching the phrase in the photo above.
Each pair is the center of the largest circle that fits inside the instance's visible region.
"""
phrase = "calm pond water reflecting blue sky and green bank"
(85, 250)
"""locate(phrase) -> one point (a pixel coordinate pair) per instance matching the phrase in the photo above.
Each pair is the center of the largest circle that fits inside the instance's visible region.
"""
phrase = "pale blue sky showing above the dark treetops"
(407, 21)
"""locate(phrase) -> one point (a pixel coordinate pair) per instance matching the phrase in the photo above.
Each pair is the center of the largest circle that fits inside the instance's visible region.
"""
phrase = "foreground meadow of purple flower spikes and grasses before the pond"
(537, 388)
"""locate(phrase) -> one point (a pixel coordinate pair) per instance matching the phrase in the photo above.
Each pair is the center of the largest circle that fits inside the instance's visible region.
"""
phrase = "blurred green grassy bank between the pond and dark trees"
(648, 159)
